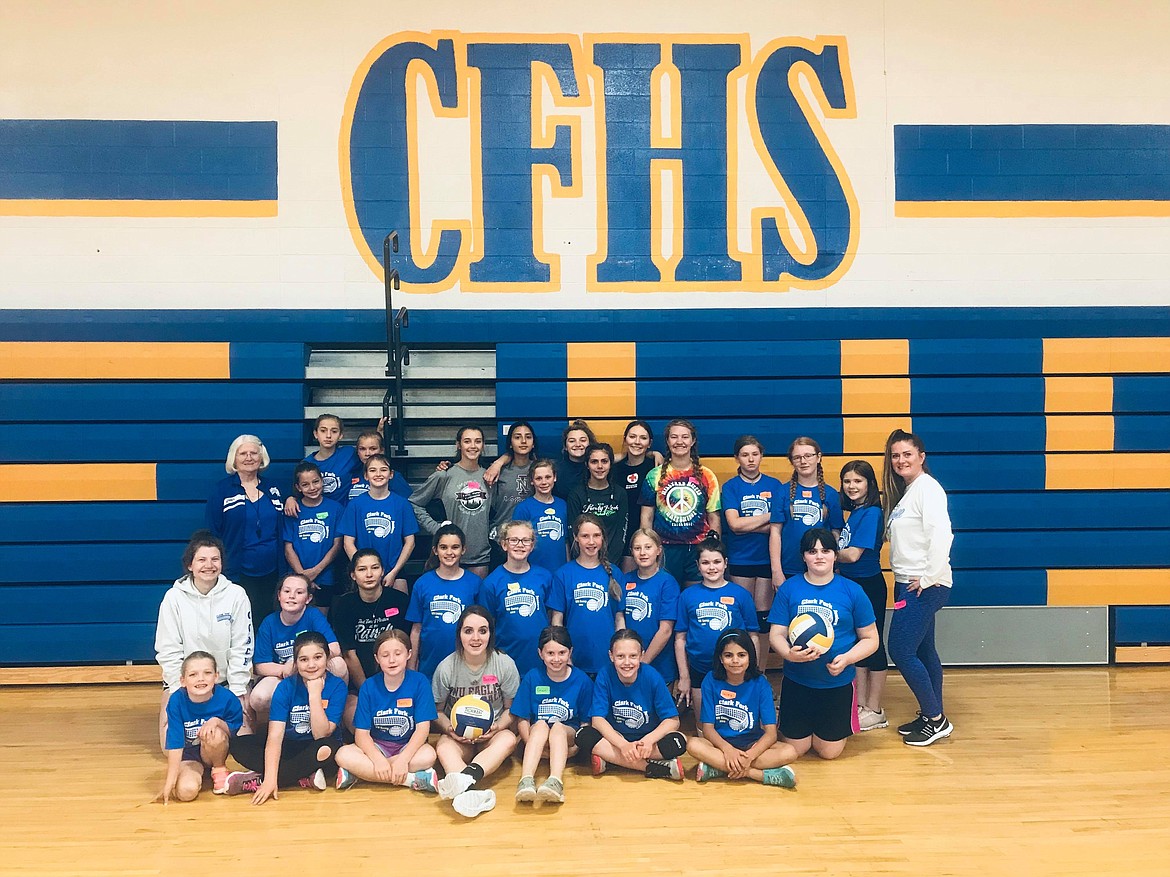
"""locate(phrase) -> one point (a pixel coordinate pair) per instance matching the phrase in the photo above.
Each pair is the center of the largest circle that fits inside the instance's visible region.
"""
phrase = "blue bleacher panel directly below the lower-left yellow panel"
(56, 523)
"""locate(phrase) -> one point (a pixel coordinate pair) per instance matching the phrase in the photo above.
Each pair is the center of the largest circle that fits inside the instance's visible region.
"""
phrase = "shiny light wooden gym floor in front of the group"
(1050, 772)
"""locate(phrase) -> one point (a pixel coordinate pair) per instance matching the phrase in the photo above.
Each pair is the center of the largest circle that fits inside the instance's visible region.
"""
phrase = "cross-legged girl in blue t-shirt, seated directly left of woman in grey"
(391, 724)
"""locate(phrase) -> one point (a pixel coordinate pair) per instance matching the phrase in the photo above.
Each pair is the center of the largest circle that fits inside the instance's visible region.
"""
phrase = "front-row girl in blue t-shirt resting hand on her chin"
(302, 729)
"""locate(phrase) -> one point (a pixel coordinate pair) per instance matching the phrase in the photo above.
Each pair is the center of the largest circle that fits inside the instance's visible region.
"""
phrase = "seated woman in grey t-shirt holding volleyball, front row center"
(476, 668)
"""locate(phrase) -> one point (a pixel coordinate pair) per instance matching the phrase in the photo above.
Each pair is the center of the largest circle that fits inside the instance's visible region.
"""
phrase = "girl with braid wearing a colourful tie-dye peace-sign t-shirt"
(682, 502)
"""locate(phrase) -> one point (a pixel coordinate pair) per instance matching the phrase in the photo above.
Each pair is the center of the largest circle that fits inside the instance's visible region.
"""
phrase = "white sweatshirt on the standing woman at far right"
(920, 535)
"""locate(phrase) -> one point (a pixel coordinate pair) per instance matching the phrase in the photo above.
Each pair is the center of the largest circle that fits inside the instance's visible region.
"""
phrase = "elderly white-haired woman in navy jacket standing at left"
(246, 513)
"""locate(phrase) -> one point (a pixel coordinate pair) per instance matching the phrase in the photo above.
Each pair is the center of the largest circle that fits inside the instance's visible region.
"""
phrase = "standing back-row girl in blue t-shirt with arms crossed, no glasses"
(755, 512)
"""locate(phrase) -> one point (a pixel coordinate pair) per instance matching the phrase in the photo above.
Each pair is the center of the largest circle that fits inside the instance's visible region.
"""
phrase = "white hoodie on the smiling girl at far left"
(218, 623)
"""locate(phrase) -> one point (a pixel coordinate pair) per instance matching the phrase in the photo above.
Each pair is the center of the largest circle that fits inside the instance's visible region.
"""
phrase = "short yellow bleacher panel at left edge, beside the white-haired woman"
(77, 484)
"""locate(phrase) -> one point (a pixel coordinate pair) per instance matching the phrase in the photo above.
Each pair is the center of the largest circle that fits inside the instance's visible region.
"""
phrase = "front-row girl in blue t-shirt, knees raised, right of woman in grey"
(552, 705)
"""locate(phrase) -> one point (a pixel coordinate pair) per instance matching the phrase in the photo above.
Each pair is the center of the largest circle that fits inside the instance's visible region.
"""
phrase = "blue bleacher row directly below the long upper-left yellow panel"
(50, 403)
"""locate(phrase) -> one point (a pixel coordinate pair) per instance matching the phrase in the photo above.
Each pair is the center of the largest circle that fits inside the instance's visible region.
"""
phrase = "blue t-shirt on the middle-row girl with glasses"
(520, 605)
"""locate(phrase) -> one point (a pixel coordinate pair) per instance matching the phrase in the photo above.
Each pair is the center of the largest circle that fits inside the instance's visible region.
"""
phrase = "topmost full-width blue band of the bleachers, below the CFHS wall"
(492, 327)
